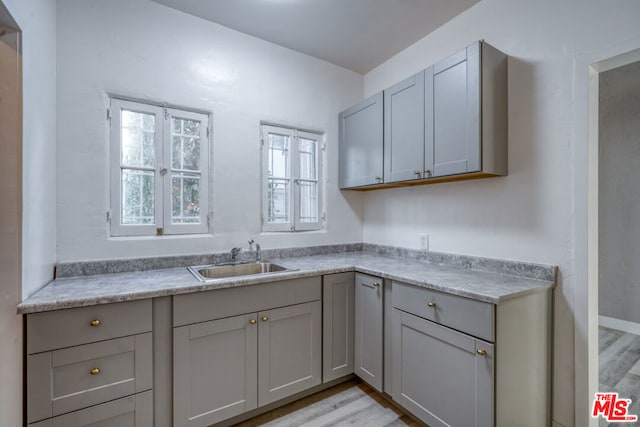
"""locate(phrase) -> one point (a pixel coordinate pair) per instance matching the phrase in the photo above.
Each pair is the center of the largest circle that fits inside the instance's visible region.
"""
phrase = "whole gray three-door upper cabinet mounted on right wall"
(445, 123)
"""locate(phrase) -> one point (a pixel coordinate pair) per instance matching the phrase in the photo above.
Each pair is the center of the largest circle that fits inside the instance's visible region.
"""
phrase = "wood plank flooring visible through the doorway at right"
(619, 367)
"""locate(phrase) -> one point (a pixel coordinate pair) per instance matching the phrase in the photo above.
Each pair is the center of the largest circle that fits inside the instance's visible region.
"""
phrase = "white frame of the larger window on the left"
(162, 177)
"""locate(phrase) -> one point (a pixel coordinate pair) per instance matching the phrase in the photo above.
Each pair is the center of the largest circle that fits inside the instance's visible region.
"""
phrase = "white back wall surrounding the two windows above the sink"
(144, 50)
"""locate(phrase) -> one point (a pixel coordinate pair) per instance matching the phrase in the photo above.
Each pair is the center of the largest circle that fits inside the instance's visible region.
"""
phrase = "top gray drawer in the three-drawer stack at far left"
(65, 328)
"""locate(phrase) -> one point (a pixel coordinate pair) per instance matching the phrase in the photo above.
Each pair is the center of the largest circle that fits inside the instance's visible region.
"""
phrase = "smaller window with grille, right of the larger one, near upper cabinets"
(292, 179)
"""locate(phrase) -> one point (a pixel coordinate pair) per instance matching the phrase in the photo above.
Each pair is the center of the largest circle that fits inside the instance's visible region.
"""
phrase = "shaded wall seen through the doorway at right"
(619, 128)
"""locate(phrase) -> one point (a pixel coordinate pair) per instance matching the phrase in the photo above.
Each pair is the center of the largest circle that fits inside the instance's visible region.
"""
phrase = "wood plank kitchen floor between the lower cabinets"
(352, 403)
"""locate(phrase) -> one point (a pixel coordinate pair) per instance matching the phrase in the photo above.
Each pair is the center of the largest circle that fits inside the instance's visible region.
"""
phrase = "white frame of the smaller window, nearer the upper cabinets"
(294, 224)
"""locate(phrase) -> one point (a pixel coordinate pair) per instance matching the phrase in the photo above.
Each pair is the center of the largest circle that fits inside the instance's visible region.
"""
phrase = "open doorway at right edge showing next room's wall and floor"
(618, 232)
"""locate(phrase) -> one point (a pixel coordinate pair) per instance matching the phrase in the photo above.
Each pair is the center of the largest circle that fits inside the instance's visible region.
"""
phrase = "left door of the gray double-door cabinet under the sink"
(215, 370)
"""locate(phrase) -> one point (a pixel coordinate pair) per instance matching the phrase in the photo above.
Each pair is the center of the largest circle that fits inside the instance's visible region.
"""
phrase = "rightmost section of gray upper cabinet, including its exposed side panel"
(466, 113)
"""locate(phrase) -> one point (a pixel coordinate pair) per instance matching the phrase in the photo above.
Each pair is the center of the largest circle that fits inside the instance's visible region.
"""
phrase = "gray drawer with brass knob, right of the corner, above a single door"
(472, 317)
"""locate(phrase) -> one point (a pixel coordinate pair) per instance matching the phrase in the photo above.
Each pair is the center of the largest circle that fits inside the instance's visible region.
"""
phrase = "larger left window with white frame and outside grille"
(159, 170)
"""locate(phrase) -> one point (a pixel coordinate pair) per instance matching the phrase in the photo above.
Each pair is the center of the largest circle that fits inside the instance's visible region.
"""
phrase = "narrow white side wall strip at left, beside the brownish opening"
(37, 19)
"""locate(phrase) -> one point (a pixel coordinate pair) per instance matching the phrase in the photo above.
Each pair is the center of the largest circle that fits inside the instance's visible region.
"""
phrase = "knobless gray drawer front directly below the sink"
(218, 304)
